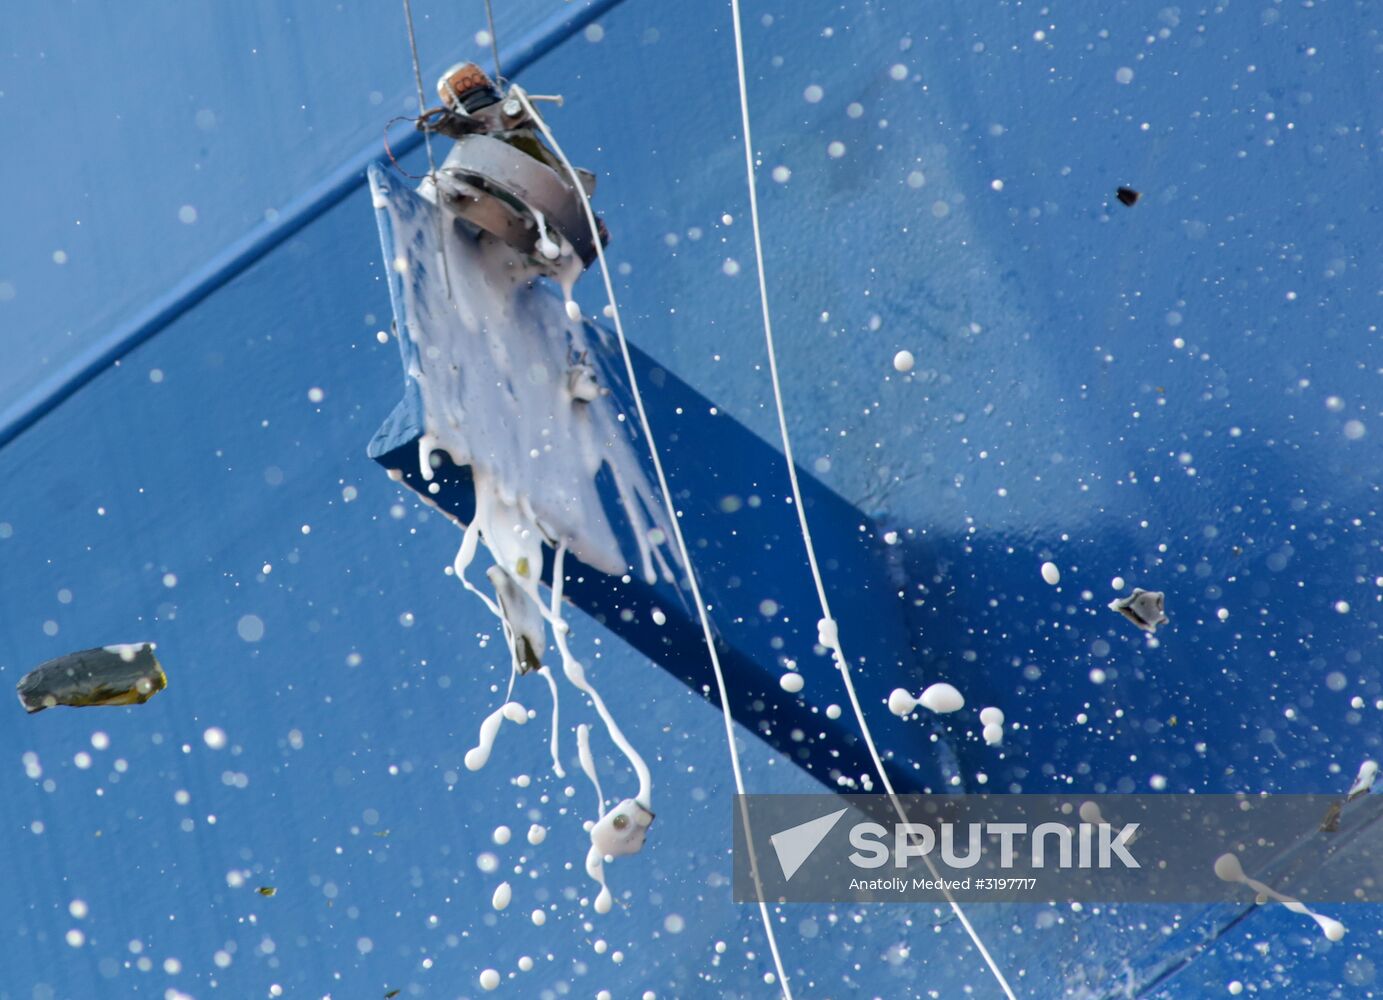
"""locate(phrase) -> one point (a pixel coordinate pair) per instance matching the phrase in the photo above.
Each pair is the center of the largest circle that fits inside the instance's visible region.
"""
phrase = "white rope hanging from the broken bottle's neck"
(677, 532)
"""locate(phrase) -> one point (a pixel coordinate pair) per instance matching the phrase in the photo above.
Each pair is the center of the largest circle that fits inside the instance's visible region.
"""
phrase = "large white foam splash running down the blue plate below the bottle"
(510, 389)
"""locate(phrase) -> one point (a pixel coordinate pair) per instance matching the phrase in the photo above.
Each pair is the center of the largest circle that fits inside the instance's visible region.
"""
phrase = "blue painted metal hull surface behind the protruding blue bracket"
(1180, 393)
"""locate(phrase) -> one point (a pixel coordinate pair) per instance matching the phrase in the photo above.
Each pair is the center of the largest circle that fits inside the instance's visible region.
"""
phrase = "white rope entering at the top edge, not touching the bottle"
(832, 631)
